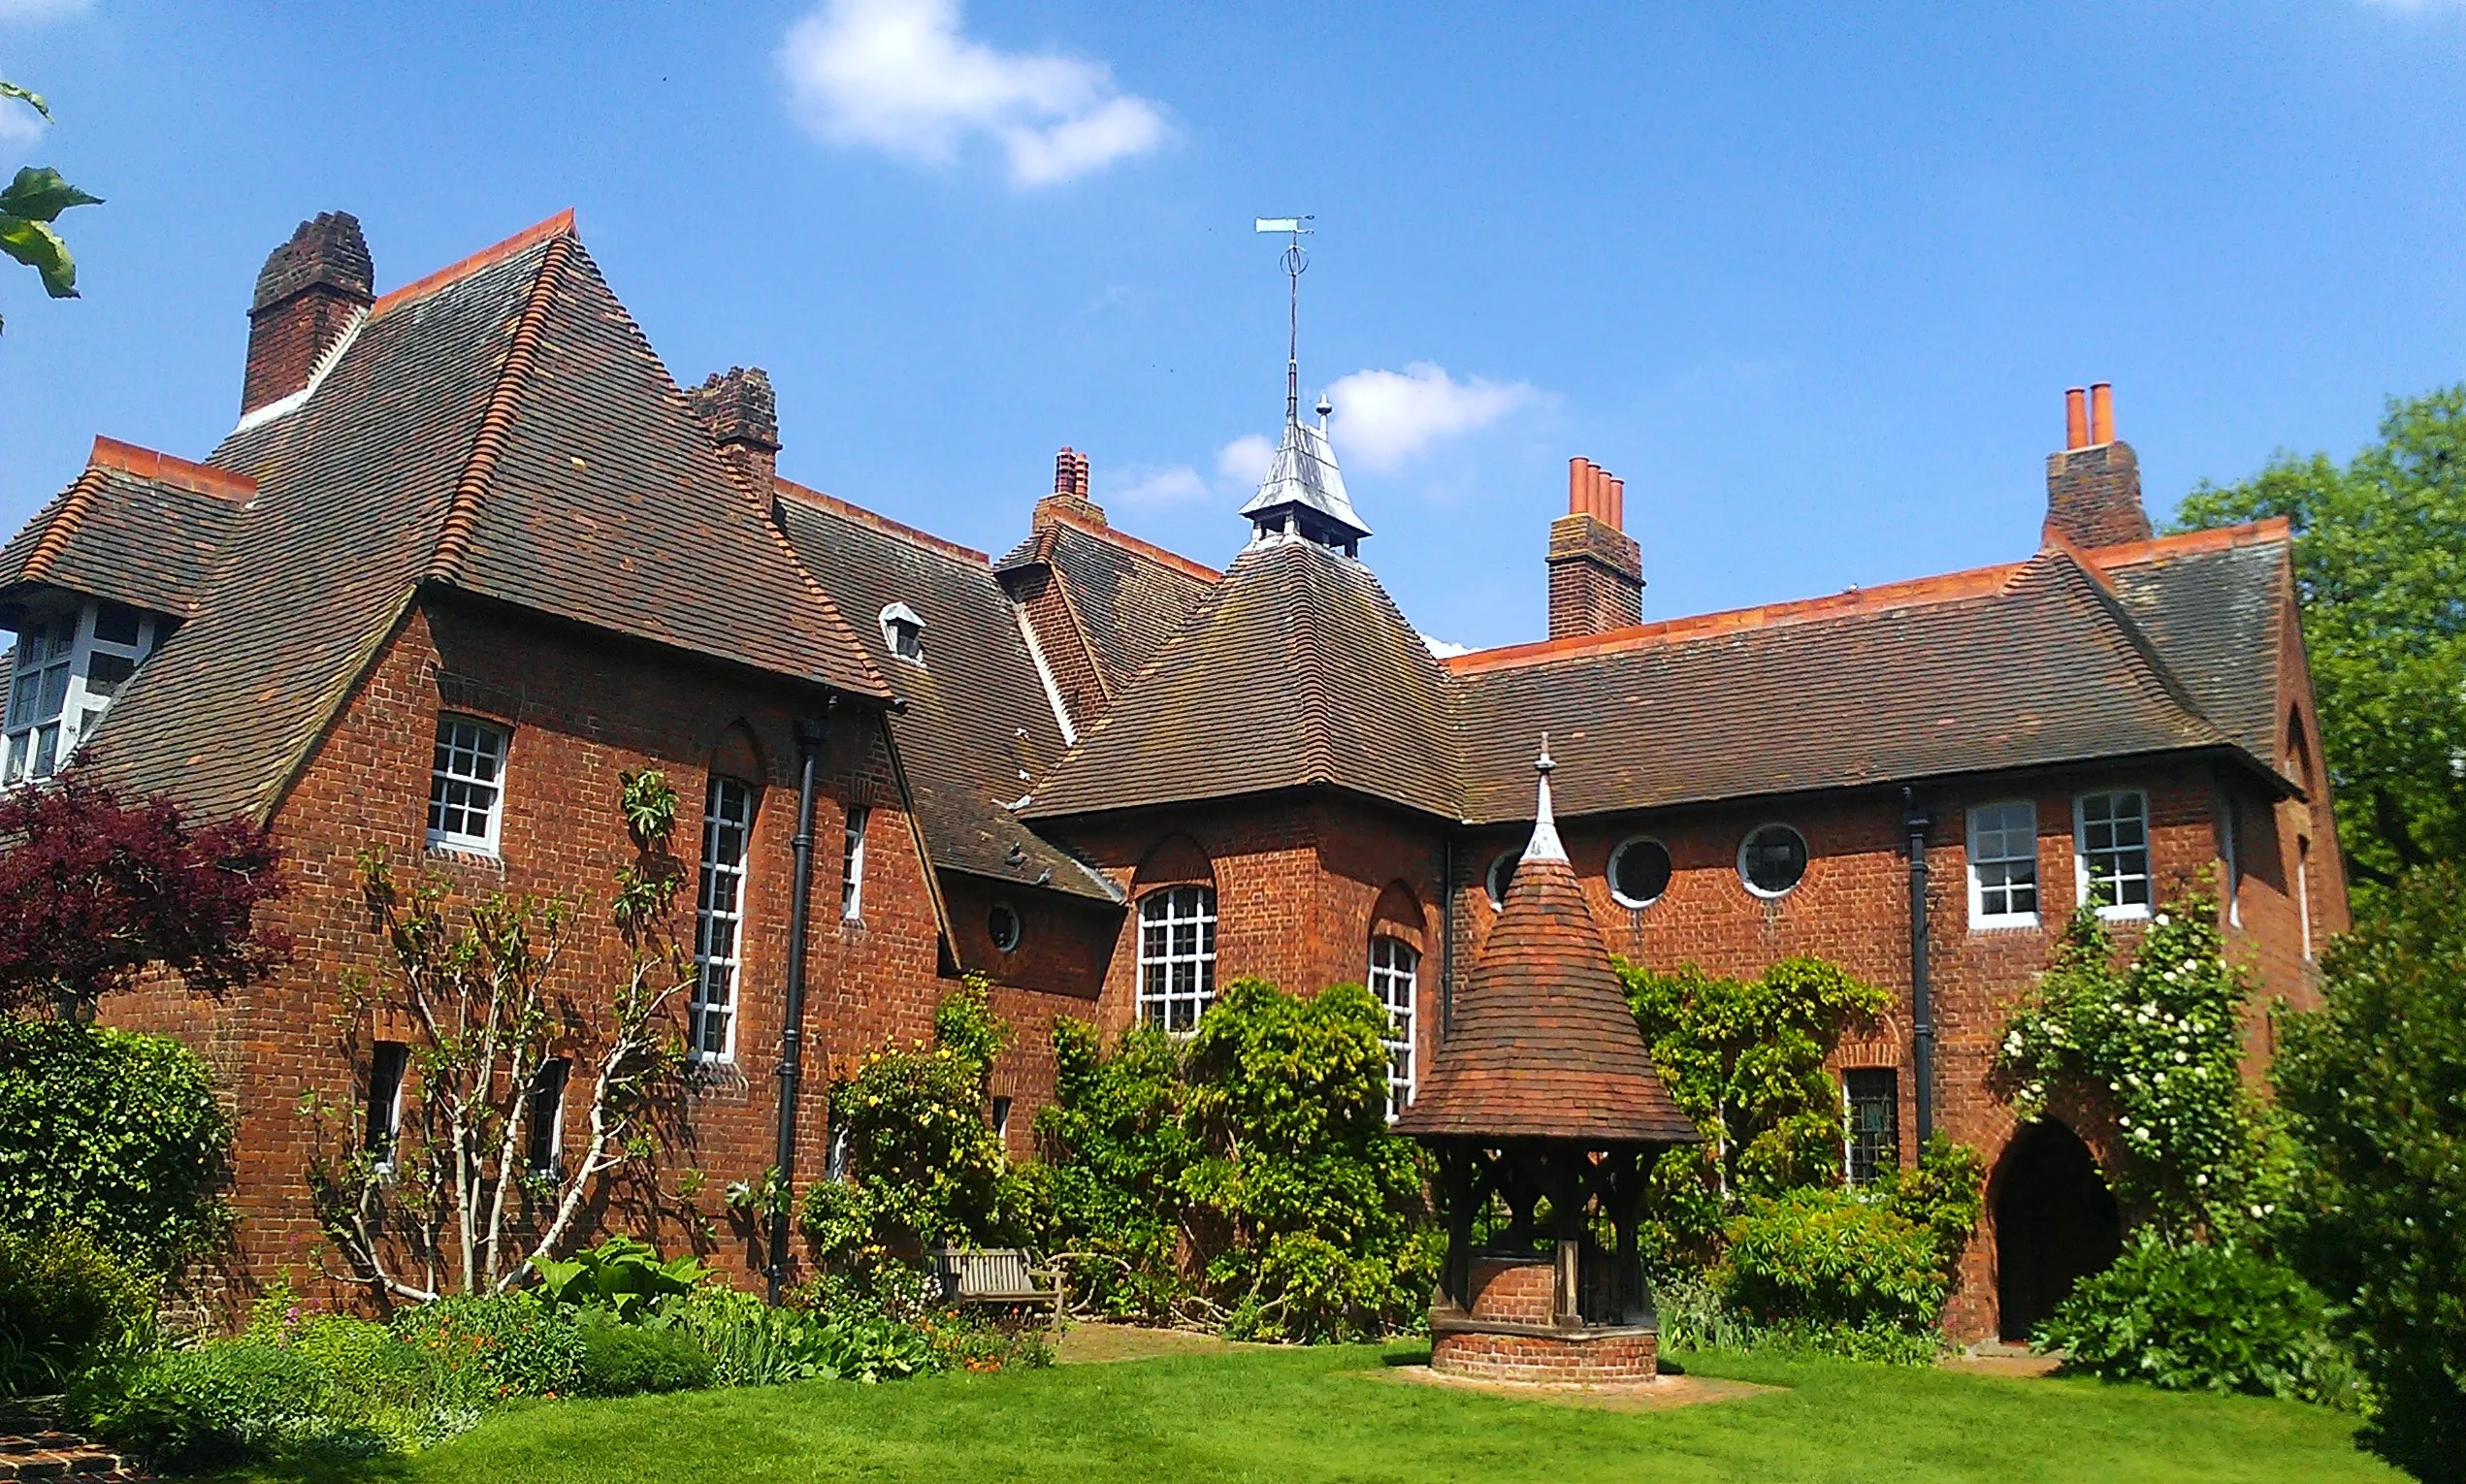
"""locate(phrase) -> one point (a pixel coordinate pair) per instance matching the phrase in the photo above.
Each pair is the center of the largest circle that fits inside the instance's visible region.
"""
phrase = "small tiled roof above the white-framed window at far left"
(137, 529)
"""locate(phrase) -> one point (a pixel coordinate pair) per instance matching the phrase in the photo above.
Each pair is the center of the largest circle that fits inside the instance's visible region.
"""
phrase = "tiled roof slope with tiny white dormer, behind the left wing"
(978, 724)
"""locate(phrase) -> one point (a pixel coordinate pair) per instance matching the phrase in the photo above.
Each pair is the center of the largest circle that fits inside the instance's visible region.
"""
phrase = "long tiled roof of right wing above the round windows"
(2016, 667)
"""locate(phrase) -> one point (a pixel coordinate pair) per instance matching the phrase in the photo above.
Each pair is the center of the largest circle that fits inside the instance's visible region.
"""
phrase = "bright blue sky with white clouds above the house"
(1809, 277)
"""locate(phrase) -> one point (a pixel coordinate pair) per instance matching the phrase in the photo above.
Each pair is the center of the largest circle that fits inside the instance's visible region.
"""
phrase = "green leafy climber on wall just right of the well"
(1745, 1059)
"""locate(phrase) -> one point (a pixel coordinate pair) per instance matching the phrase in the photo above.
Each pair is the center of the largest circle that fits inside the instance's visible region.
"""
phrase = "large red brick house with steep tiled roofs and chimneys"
(472, 553)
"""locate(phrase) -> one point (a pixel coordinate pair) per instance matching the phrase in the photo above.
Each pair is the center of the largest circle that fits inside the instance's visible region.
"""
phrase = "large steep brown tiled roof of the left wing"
(499, 430)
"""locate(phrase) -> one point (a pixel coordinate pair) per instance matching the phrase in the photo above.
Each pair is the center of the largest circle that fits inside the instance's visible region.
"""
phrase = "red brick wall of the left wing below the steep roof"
(583, 711)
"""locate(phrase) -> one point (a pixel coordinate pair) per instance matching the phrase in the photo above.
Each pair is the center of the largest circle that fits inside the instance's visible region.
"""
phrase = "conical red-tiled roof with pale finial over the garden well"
(1542, 1042)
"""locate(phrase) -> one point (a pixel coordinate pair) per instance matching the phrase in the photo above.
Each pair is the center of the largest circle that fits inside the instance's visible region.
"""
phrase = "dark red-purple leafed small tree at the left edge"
(97, 889)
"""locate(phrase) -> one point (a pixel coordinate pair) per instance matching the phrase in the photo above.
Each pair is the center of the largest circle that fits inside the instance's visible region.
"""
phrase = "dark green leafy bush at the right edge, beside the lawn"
(2376, 1096)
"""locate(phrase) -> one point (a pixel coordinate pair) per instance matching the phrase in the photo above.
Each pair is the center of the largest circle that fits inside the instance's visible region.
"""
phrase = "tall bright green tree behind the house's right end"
(2381, 568)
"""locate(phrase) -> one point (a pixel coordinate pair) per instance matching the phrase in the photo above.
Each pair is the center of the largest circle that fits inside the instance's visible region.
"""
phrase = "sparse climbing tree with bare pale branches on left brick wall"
(487, 1012)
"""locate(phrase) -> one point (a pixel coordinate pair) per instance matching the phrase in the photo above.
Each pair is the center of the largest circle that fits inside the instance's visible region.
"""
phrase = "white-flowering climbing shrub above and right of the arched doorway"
(2161, 1044)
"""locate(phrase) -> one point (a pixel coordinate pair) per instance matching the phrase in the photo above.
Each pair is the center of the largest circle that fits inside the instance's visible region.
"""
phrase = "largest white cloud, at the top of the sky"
(896, 75)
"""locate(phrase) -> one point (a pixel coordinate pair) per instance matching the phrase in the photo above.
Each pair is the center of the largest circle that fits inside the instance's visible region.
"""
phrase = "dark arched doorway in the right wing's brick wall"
(2055, 1224)
